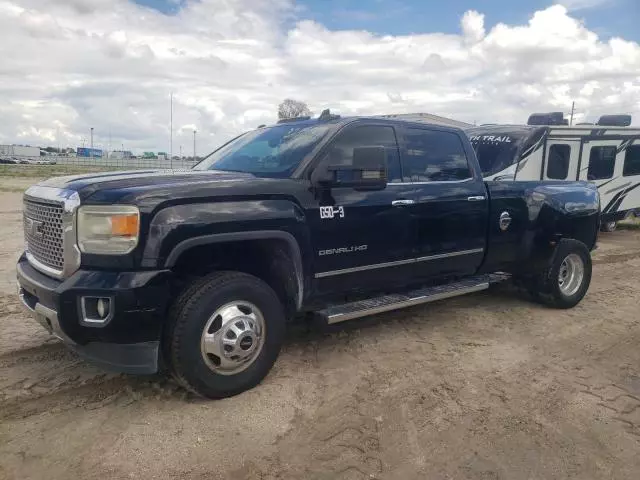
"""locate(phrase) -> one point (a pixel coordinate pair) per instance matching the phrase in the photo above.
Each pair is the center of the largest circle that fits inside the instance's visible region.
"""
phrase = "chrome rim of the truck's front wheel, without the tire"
(233, 337)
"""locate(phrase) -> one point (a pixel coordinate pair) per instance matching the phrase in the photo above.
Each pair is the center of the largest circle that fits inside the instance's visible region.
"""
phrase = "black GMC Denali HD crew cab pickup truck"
(199, 271)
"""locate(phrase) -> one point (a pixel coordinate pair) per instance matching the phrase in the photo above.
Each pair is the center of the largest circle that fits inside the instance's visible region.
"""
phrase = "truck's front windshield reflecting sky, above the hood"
(273, 152)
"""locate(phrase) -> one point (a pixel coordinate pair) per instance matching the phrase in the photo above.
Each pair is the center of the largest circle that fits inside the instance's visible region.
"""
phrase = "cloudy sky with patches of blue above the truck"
(69, 65)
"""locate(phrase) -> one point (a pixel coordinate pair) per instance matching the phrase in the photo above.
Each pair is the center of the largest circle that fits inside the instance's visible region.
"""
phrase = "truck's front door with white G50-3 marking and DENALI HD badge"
(362, 238)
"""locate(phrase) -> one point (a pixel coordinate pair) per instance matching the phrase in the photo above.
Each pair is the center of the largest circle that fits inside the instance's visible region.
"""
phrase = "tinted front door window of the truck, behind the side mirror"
(341, 151)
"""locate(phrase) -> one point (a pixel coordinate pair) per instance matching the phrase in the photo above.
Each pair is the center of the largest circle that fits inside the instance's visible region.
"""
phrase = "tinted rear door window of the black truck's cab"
(434, 156)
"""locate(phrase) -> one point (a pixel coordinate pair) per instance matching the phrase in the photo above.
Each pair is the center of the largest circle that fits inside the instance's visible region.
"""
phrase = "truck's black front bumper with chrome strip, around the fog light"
(129, 342)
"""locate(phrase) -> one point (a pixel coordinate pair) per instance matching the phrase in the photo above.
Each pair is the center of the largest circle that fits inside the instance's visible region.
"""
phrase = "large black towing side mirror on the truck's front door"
(369, 170)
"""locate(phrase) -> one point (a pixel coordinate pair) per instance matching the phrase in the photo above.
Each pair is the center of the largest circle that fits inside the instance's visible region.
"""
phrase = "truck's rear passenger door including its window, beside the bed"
(451, 205)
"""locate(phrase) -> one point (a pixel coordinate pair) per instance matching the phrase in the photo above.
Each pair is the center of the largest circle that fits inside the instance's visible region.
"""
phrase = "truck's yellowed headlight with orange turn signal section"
(108, 229)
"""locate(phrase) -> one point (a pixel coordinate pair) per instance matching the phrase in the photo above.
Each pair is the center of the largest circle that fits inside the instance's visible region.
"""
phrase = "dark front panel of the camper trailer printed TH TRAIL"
(495, 150)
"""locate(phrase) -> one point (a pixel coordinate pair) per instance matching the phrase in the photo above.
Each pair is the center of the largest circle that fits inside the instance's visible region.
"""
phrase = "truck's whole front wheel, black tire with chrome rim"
(245, 324)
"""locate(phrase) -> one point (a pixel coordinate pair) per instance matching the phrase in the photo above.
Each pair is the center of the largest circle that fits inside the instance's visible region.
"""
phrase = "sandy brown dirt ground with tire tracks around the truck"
(488, 386)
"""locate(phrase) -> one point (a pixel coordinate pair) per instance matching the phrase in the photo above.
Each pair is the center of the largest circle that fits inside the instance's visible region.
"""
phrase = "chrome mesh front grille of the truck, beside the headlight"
(43, 232)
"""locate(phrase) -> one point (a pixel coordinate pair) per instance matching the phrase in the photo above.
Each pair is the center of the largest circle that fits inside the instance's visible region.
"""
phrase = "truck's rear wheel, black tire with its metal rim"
(557, 286)
